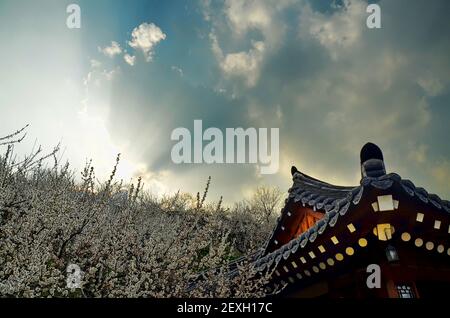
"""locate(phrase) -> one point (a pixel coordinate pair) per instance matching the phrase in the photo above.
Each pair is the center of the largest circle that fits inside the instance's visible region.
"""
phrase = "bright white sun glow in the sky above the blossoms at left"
(48, 88)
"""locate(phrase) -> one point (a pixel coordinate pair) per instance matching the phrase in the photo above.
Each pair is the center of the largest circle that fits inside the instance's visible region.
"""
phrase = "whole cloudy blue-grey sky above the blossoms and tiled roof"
(136, 70)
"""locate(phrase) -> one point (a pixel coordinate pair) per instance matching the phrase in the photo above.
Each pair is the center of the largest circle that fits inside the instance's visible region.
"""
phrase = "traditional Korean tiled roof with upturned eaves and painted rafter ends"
(348, 218)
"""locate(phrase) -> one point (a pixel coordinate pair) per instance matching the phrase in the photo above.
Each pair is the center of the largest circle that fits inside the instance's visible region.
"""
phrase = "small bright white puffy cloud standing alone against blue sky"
(145, 37)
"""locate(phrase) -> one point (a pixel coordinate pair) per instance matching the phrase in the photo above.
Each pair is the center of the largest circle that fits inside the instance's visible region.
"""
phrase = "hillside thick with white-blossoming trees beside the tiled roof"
(124, 241)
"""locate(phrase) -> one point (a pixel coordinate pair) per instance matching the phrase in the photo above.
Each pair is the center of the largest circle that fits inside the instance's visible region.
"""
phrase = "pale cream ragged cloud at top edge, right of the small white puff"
(241, 19)
